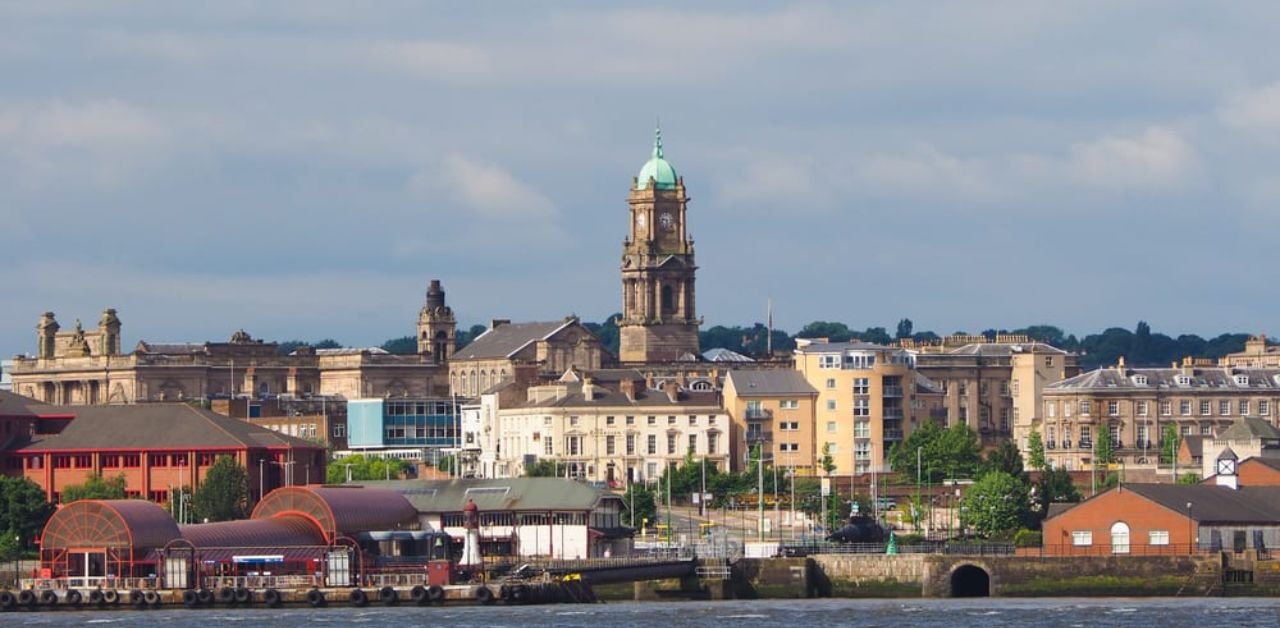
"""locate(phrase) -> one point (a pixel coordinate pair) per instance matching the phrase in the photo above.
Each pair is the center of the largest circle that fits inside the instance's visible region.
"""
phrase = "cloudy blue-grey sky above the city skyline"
(303, 171)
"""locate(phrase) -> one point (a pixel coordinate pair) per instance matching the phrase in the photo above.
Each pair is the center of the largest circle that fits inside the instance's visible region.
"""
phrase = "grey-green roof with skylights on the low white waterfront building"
(496, 494)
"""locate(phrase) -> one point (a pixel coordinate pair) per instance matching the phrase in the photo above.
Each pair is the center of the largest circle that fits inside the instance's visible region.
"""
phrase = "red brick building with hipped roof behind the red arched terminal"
(158, 448)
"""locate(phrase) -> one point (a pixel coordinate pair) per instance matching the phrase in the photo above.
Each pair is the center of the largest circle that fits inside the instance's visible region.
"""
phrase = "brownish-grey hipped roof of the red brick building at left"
(159, 427)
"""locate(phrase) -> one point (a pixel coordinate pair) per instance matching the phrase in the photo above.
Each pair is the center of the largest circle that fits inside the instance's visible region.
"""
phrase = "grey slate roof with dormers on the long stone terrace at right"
(1203, 379)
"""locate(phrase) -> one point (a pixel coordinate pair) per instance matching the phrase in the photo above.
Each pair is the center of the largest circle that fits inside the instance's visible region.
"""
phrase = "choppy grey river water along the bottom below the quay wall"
(986, 613)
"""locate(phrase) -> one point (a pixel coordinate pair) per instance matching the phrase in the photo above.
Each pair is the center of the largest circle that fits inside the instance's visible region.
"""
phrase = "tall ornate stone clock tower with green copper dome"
(660, 322)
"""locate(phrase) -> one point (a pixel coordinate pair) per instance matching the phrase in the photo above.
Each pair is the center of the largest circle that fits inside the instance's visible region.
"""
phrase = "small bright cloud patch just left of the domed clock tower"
(490, 190)
